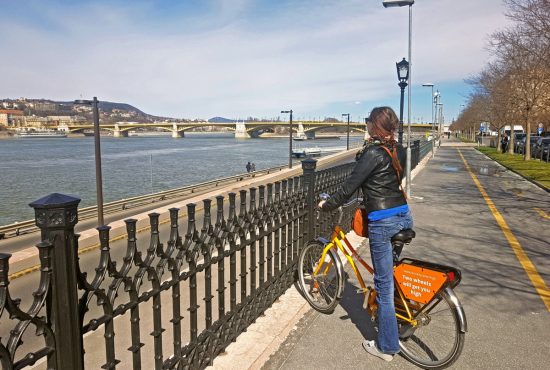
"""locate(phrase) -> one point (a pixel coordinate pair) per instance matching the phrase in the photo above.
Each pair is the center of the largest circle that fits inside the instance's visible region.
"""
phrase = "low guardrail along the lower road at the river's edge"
(85, 213)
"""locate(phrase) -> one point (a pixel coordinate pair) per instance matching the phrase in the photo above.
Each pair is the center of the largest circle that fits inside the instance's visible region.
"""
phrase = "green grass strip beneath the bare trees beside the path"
(534, 170)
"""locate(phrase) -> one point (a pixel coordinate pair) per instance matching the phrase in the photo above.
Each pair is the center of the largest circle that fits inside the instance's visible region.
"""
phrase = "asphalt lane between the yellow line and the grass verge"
(521, 211)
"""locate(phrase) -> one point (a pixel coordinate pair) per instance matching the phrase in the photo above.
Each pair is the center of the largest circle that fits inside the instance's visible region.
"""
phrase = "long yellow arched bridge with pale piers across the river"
(251, 129)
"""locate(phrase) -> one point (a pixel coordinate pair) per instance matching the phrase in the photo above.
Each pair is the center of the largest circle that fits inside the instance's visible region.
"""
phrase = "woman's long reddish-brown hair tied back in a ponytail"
(384, 123)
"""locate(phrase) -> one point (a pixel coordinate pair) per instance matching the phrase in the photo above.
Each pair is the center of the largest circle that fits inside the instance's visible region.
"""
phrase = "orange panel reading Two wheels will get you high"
(417, 283)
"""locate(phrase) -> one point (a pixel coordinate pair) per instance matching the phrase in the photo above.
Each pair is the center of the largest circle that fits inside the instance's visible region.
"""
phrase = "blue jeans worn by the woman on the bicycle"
(380, 233)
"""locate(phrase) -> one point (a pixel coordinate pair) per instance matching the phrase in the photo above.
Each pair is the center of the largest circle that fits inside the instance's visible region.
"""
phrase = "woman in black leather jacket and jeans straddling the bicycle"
(378, 174)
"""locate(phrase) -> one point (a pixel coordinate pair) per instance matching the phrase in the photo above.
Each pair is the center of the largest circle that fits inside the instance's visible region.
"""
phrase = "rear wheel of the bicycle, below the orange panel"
(437, 340)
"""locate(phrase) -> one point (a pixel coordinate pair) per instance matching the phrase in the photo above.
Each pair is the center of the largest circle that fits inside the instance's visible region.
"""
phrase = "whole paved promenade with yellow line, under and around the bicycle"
(469, 212)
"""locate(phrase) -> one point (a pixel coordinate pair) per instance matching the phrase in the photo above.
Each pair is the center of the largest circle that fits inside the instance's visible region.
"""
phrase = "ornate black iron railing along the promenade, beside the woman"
(173, 305)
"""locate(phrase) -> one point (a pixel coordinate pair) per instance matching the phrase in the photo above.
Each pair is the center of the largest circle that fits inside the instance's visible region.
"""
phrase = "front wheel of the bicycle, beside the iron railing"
(324, 289)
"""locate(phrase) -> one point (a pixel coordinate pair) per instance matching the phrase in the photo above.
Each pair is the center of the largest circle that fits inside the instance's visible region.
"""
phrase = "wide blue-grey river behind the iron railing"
(33, 168)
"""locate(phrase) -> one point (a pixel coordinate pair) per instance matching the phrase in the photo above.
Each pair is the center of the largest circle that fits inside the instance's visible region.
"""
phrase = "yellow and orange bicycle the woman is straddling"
(431, 320)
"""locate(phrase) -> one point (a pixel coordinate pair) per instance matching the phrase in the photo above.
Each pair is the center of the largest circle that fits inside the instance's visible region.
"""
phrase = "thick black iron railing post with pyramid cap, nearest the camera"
(56, 215)
